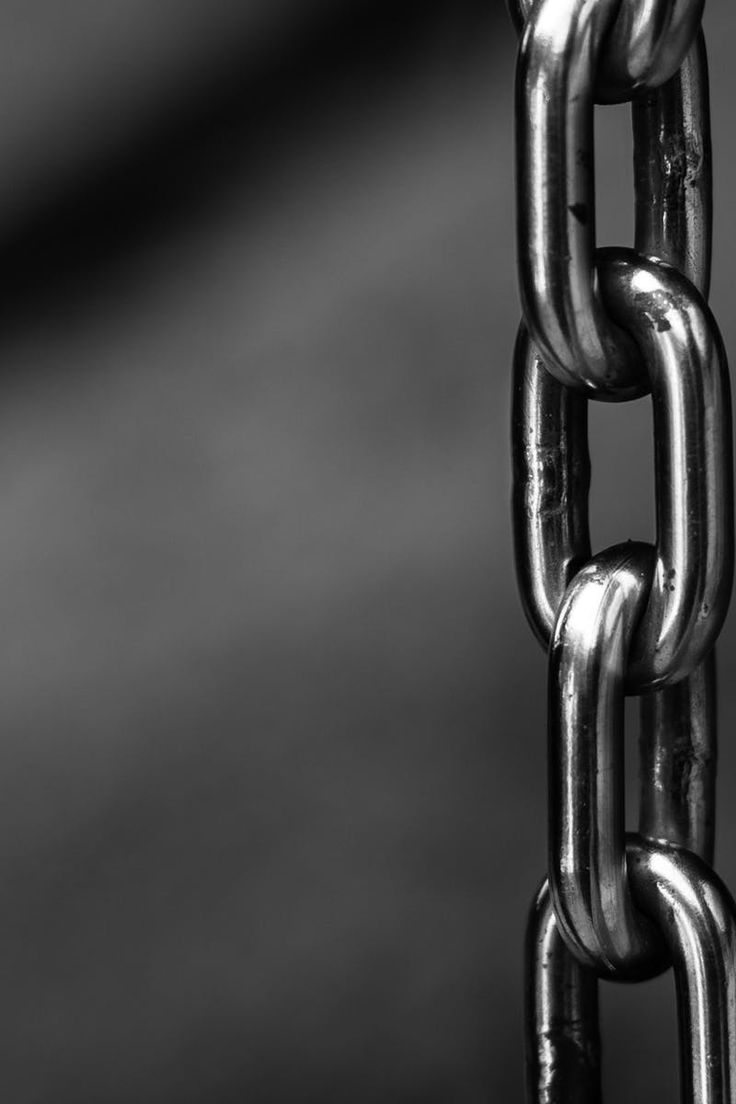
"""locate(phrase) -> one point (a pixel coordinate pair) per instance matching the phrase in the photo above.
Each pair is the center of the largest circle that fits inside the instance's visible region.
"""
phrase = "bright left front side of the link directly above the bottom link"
(588, 845)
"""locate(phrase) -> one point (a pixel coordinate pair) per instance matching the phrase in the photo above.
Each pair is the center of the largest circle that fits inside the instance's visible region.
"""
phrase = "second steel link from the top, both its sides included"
(579, 342)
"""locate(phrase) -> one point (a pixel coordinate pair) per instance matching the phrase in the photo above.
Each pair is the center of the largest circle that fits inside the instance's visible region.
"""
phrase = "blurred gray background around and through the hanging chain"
(273, 782)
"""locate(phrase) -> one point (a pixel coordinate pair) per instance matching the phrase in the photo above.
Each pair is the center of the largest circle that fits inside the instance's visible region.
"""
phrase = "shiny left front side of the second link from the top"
(558, 61)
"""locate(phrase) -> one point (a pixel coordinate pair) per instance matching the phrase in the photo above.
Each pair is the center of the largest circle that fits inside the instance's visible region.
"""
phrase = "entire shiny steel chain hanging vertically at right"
(615, 325)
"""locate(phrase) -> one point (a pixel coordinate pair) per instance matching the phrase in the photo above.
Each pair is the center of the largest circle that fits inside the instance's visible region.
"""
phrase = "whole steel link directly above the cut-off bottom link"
(588, 667)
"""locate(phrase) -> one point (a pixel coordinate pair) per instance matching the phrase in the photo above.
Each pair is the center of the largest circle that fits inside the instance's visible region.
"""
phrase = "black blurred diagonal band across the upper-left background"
(333, 65)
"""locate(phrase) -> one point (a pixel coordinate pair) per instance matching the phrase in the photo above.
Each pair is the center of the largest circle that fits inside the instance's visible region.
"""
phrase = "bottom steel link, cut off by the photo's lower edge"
(697, 919)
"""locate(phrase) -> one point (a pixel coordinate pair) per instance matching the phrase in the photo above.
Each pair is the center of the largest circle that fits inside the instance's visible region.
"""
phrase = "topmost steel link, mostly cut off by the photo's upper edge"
(645, 48)
